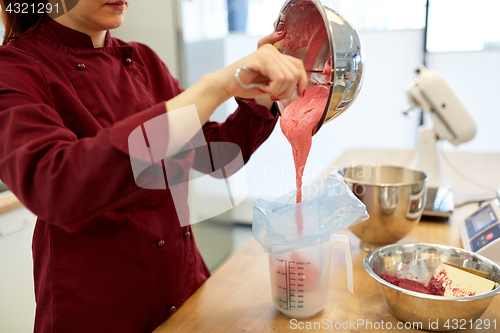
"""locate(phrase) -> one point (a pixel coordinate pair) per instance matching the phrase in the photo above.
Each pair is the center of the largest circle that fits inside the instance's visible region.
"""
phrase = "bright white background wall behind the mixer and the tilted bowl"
(375, 119)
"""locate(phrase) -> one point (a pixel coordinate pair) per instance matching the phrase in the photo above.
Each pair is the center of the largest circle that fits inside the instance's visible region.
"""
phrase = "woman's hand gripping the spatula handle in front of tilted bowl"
(281, 74)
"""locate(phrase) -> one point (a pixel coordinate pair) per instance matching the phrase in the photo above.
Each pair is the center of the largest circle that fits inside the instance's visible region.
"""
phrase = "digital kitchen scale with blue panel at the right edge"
(481, 231)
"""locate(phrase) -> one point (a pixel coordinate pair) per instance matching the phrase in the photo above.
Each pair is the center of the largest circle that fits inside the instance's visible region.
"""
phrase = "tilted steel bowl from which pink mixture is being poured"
(316, 34)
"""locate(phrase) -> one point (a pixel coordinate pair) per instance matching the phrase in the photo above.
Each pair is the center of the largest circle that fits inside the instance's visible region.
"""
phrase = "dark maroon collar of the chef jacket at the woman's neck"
(61, 34)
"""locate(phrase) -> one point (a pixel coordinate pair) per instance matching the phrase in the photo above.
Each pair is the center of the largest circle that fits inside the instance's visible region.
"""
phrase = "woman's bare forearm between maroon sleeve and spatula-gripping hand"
(206, 94)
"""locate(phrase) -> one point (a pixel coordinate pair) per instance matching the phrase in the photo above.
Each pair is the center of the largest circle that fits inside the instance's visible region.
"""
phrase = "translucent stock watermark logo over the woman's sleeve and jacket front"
(162, 157)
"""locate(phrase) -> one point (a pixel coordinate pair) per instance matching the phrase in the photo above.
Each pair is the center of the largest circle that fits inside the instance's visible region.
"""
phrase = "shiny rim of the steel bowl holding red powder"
(377, 278)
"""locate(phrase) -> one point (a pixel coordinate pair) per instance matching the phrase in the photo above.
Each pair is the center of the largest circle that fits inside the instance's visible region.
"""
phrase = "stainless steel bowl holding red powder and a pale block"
(420, 261)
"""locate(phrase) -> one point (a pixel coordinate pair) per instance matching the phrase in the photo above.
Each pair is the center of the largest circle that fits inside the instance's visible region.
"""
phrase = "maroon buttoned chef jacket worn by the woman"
(108, 255)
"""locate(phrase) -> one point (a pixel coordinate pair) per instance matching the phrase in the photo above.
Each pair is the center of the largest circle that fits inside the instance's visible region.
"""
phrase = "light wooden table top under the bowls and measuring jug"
(237, 298)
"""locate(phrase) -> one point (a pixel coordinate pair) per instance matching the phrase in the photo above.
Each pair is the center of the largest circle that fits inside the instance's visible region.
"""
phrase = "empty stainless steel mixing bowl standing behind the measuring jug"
(394, 198)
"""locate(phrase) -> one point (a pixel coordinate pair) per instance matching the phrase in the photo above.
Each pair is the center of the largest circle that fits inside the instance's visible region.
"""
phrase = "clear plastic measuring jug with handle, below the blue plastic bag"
(300, 279)
